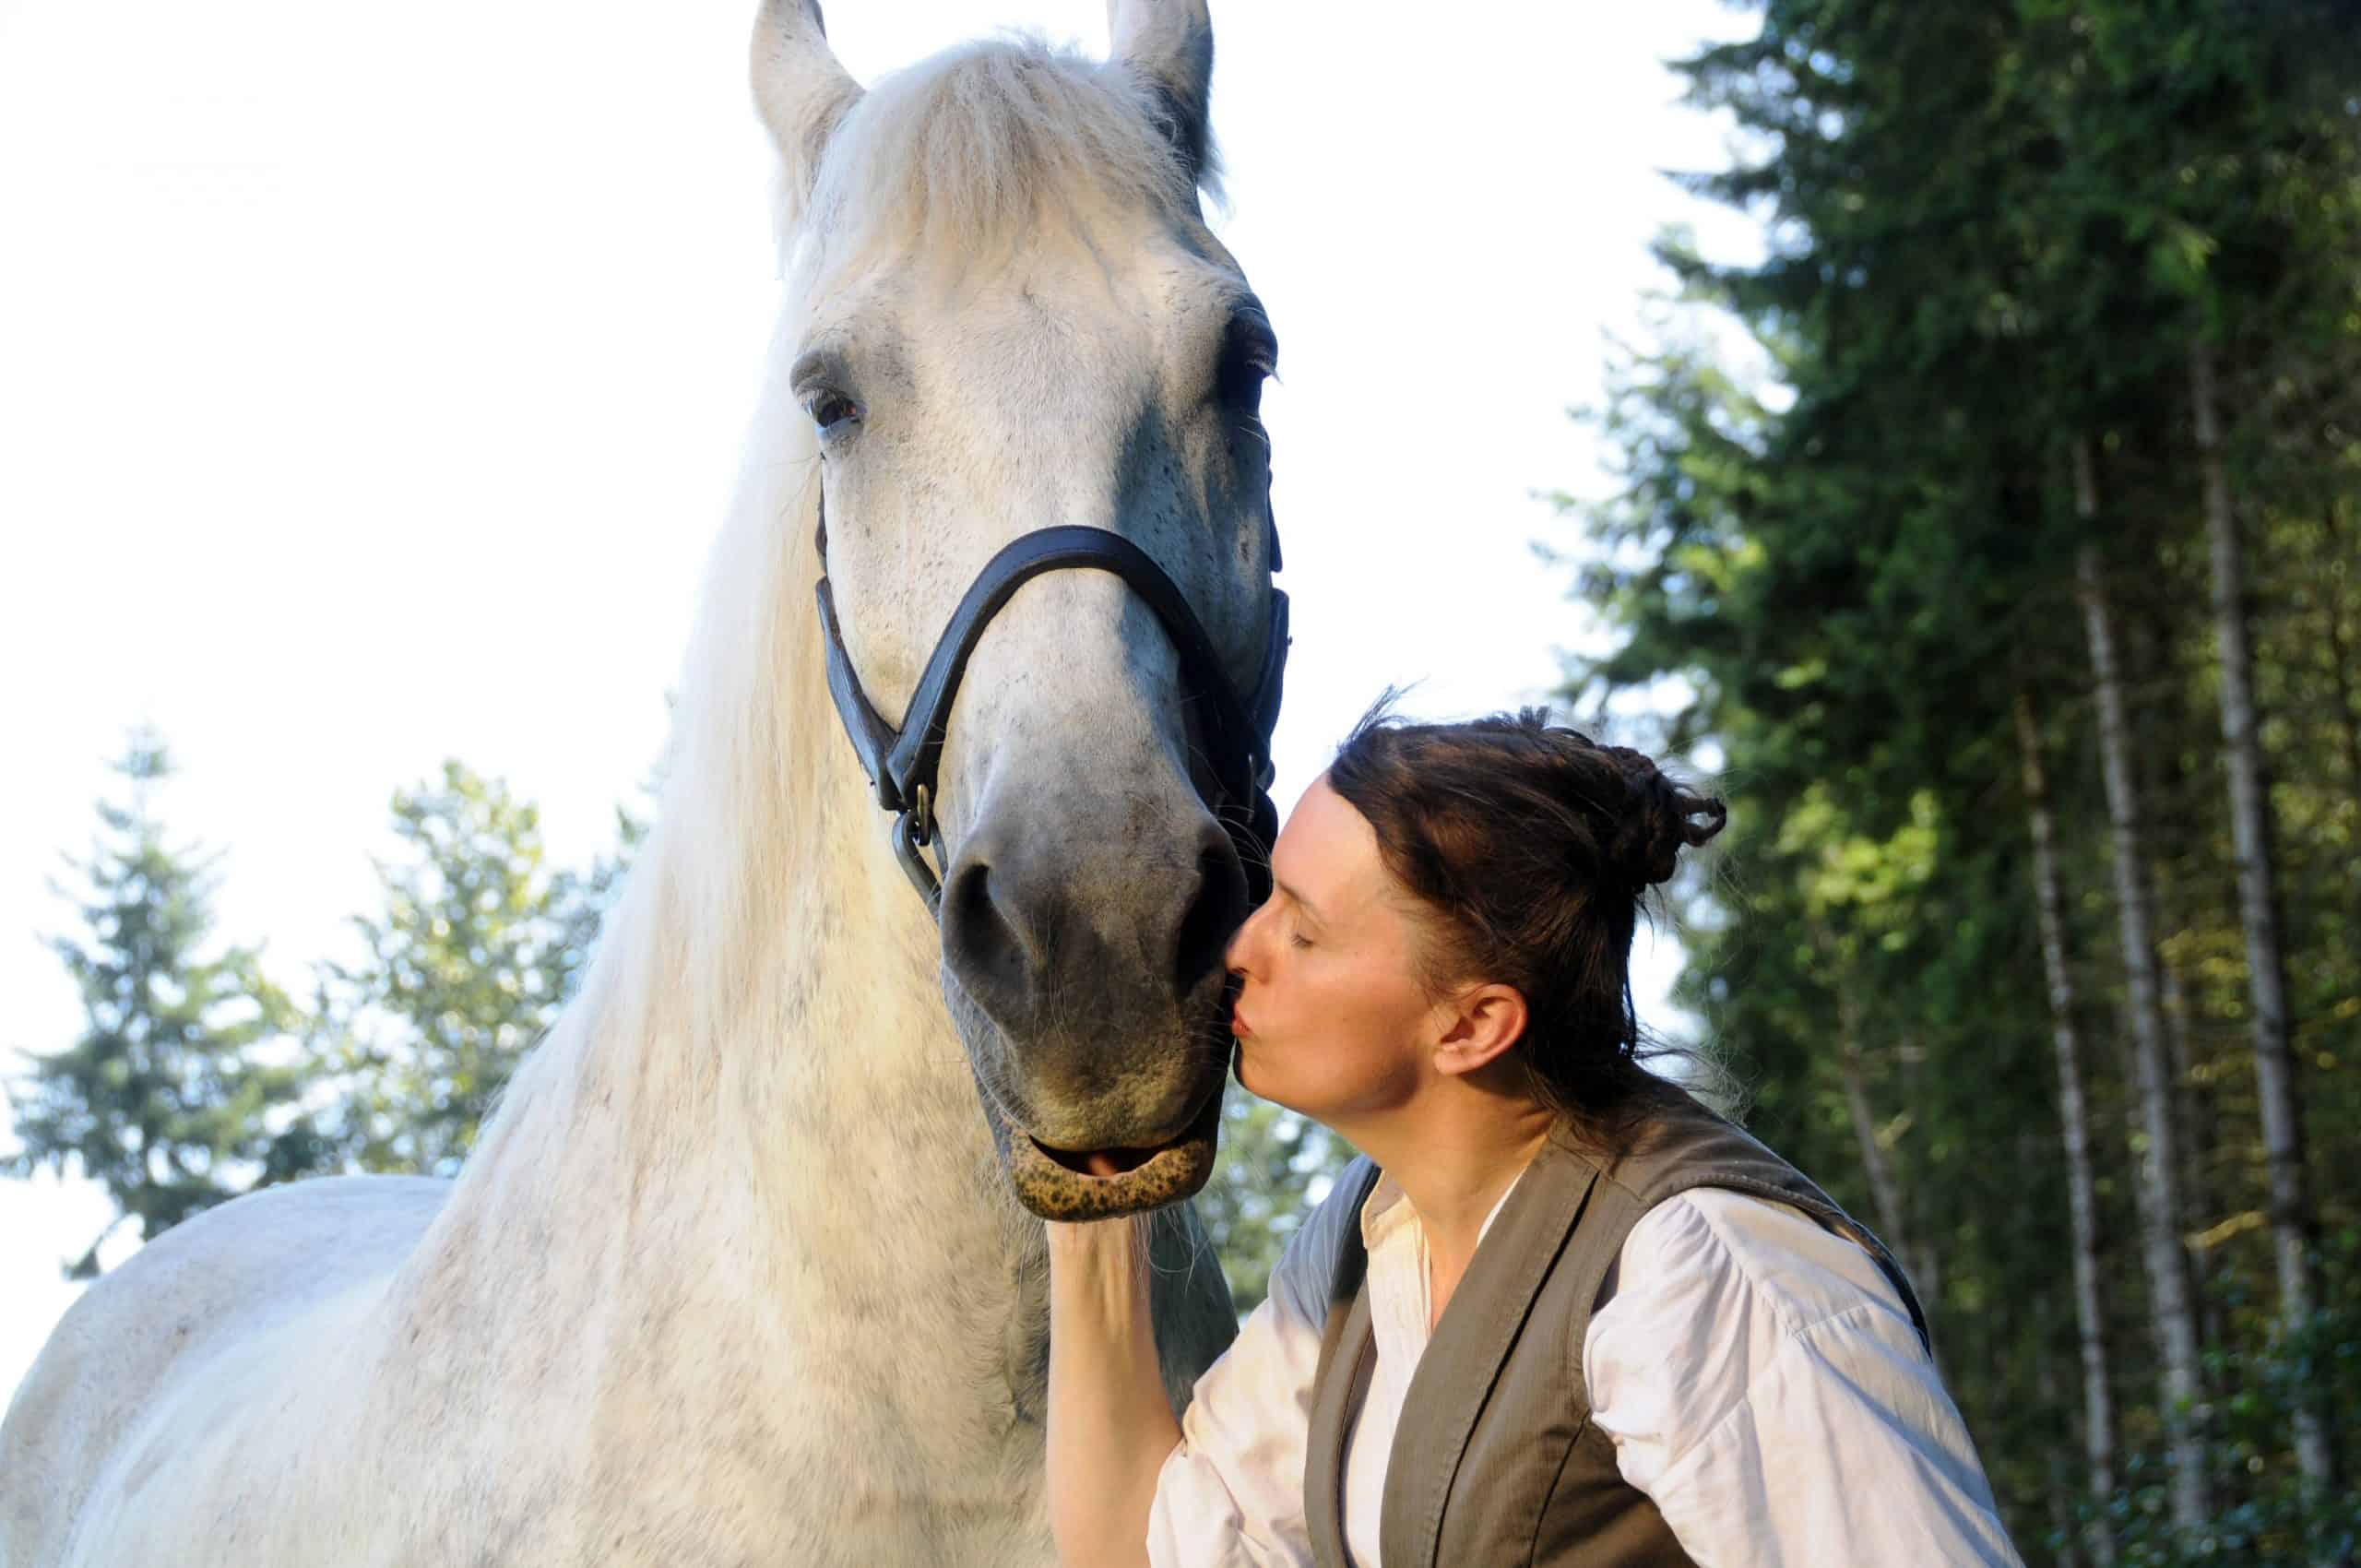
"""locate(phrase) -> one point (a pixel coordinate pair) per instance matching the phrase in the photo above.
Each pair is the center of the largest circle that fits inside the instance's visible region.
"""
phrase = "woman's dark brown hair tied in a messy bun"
(1531, 849)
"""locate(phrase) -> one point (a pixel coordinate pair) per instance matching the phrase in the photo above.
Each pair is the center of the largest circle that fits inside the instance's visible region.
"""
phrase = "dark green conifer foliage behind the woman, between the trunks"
(1999, 233)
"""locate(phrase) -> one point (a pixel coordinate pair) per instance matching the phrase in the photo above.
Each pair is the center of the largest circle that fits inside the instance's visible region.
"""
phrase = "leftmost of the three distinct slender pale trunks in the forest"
(2074, 1118)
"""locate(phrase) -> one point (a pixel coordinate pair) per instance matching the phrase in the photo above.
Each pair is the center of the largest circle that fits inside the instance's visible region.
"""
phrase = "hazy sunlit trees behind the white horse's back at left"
(202, 1080)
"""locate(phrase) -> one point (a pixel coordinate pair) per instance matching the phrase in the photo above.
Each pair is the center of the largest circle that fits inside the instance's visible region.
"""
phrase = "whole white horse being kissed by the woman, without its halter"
(740, 1274)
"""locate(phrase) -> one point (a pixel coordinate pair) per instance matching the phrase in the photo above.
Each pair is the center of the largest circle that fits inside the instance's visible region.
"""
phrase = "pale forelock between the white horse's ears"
(962, 152)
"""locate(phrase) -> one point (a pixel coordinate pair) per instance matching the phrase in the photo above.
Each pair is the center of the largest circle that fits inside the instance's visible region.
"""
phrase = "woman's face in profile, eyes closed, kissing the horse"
(1330, 1014)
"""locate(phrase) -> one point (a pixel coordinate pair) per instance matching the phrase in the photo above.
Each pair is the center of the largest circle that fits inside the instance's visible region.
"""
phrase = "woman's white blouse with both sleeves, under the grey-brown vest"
(1758, 1376)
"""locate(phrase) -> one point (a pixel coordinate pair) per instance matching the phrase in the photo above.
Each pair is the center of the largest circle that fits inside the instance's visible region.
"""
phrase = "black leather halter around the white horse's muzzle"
(901, 764)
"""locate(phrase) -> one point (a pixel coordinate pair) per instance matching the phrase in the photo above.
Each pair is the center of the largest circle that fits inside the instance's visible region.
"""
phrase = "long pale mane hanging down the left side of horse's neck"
(721, 882)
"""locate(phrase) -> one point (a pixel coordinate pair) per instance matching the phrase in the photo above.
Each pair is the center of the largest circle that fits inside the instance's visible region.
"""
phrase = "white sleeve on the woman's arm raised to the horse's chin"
(1231, 1496)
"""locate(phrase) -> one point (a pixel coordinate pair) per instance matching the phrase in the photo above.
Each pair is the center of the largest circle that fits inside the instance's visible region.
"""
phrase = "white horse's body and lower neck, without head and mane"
(721, 1302)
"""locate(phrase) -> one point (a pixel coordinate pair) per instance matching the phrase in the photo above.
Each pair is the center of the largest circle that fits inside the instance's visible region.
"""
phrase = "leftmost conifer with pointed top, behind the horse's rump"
(183, 1087)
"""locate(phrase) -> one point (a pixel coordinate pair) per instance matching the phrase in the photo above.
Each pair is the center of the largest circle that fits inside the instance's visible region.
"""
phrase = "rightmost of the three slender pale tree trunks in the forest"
(2258, 913)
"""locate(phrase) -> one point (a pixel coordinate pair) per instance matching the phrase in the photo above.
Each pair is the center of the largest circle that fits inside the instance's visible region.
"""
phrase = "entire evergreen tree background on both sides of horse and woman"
(1996, 540)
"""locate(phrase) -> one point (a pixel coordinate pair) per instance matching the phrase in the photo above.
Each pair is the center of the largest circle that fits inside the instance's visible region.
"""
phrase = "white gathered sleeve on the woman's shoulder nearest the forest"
(1765, 1387)
